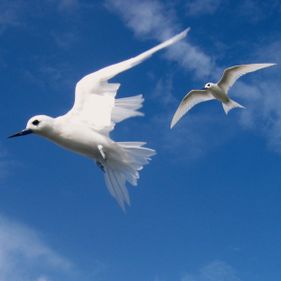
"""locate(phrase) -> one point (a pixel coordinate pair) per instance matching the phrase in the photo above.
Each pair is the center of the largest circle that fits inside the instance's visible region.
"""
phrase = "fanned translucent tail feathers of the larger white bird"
(125, 167)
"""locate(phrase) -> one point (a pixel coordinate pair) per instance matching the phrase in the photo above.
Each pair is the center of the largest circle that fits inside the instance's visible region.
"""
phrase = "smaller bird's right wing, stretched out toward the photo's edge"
(231, 74)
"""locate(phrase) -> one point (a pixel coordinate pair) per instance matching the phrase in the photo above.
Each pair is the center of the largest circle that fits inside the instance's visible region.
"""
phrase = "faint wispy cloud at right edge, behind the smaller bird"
(263, 97)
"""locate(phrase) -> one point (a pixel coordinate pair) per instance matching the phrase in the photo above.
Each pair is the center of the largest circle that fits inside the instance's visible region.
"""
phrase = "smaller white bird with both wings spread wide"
(217, 91)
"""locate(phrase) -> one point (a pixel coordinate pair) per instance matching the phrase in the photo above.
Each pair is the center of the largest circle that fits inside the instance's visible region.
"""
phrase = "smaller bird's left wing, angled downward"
(191, 99)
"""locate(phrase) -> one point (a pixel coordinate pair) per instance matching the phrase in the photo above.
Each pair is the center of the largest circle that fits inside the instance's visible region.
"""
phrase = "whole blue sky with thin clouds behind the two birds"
(207, 208)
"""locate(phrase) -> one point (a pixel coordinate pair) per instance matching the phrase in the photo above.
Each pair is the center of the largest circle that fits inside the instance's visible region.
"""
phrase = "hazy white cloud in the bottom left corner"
(25, 257)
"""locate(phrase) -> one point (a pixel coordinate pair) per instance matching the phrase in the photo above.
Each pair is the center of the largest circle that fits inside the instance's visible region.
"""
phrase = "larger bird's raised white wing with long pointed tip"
(95, 102)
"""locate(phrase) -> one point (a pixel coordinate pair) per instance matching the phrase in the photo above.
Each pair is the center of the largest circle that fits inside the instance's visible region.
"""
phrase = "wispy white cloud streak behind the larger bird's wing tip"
(152, 19)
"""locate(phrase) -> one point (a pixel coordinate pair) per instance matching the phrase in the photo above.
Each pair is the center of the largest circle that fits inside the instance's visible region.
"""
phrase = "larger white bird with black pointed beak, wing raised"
(86, 128)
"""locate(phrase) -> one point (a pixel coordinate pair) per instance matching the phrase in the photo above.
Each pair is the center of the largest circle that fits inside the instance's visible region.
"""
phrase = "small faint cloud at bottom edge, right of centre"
(214, 271)
